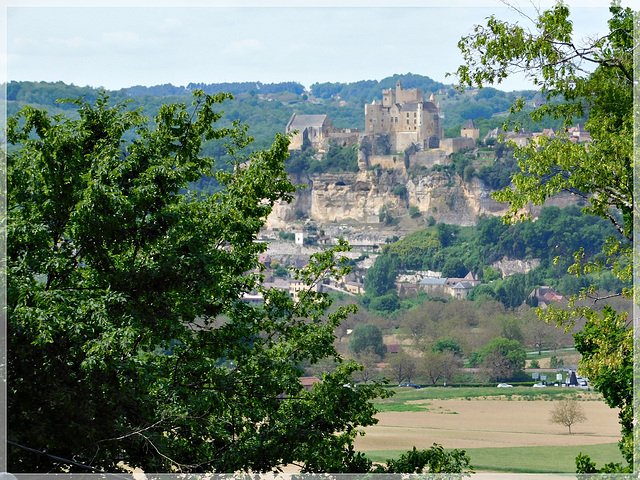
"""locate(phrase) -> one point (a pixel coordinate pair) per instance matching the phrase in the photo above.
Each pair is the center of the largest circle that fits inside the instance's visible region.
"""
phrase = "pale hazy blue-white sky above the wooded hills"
(118, 44)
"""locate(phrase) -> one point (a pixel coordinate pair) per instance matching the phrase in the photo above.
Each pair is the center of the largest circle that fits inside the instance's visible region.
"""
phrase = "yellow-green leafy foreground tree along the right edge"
(601, 172)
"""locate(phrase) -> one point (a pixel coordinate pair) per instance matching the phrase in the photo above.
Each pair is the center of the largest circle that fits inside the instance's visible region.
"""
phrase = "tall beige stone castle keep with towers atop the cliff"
(406, 117)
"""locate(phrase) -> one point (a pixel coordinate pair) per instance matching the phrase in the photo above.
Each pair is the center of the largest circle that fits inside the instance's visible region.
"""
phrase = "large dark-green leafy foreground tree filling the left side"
(128, 337)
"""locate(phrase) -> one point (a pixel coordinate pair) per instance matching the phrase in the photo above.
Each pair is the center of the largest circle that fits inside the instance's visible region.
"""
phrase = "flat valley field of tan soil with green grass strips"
(501, 429)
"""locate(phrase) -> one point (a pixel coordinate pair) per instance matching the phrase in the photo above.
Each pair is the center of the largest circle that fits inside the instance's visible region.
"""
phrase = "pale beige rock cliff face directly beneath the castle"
(360, 196)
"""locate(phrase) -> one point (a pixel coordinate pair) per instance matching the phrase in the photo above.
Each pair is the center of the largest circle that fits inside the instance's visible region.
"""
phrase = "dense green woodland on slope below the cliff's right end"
(552, 240)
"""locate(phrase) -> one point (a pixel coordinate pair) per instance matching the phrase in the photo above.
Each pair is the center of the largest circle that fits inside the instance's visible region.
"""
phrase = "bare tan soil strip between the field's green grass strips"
(488, 423)
